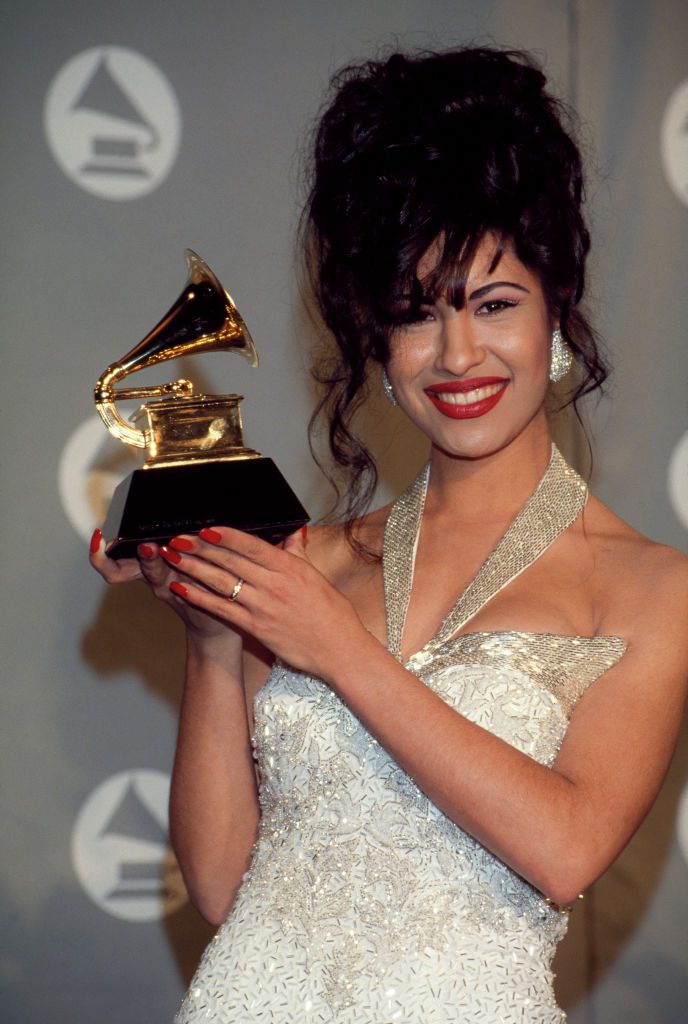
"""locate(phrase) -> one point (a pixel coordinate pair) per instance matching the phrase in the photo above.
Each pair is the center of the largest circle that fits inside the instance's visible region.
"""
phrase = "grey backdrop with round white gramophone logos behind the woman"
(138, 130)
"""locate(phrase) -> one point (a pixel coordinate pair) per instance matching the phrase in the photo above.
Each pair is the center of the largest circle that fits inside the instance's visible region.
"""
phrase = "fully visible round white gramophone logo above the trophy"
(113, 122)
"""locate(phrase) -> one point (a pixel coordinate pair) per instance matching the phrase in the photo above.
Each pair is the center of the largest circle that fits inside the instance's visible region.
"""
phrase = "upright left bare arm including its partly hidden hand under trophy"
(213, 802)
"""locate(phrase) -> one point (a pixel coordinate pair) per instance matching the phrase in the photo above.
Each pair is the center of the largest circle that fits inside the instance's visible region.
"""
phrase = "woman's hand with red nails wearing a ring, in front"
(273, 593)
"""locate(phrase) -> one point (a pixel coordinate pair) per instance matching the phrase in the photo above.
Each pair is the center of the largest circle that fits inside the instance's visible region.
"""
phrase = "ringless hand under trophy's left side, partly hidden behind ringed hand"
(159, 574)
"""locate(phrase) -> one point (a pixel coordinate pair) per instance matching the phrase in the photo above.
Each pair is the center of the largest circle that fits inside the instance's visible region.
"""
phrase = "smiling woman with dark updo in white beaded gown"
(474, 703)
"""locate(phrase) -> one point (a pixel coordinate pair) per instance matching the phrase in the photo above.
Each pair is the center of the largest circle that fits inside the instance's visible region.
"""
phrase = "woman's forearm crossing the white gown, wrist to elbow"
(526, 814)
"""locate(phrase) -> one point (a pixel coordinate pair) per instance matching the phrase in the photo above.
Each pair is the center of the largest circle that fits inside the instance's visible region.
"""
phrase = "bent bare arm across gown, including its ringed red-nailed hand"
(560, 829)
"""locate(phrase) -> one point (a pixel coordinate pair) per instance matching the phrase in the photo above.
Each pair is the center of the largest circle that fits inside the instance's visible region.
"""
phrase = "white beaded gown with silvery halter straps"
(365, 905)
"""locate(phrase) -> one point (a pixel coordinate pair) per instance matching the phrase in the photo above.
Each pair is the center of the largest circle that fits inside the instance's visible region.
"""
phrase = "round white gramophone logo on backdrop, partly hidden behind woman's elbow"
(120, 850)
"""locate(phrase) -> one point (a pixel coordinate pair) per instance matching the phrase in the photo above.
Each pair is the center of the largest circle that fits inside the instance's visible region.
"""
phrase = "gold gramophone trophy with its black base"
(198, 472)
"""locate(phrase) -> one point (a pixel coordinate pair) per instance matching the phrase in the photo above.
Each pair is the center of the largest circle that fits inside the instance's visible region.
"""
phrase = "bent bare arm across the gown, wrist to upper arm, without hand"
(560, 829)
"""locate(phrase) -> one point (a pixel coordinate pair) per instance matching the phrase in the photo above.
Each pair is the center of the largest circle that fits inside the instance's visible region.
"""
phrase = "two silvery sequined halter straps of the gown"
(554, 505)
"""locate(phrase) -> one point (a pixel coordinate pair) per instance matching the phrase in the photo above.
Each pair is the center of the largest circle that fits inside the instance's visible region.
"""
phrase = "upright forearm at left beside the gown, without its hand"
(213, 804)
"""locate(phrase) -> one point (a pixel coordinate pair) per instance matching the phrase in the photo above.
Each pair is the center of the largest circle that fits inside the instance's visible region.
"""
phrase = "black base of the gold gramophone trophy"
(155, 505)
